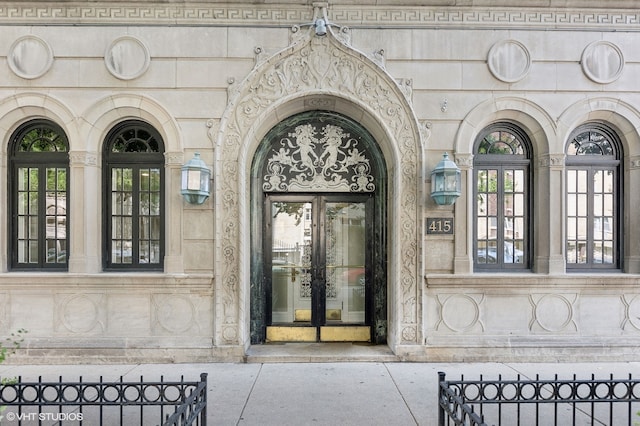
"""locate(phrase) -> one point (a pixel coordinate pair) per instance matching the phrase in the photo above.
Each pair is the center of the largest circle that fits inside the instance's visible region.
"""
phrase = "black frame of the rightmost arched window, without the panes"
(593, 163)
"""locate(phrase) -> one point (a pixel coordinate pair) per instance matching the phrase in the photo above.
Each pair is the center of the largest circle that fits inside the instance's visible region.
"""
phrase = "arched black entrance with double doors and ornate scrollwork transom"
(318, 232)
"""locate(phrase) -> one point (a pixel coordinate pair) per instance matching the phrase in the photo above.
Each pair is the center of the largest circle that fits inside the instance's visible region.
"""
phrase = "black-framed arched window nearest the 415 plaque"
(502, 199)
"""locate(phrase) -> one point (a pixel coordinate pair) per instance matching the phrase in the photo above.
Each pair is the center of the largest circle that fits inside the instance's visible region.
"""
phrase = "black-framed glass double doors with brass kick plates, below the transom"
(317, 267)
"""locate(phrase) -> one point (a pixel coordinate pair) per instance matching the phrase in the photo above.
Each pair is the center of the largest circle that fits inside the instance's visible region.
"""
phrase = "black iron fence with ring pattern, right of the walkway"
(558, 402)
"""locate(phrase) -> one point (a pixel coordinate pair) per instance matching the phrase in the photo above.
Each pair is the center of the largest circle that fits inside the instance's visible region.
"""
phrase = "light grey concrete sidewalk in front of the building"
(318, 393)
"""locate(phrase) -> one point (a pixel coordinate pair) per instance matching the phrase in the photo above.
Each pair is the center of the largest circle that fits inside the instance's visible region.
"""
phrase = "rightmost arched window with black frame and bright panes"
(593, 203)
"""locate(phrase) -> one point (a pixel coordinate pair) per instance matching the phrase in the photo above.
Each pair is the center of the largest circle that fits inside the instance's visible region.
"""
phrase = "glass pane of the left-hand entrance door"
(291, 261)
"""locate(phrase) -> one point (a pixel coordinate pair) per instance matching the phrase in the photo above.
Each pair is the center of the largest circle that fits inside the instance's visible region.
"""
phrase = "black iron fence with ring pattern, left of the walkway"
(104, 403)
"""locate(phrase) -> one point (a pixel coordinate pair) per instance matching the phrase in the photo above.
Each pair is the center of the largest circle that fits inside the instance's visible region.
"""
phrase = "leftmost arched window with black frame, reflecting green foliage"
(39, 178)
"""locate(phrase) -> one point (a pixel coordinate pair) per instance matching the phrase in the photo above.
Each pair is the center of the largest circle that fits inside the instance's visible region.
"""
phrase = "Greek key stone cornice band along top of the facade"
(283, 15)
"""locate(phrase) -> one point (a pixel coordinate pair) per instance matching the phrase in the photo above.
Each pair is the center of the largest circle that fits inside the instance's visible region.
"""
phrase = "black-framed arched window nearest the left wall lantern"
(134, 198)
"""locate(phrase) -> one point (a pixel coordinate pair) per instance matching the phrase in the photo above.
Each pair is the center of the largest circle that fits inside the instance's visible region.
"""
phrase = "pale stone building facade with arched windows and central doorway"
(321, 123)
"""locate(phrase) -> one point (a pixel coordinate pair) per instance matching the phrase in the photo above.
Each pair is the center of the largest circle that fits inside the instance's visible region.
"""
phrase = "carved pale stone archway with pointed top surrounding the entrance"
(318, 72)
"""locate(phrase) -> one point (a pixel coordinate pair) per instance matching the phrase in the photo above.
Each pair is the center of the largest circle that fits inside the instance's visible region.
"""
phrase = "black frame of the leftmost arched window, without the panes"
(41, 161)
